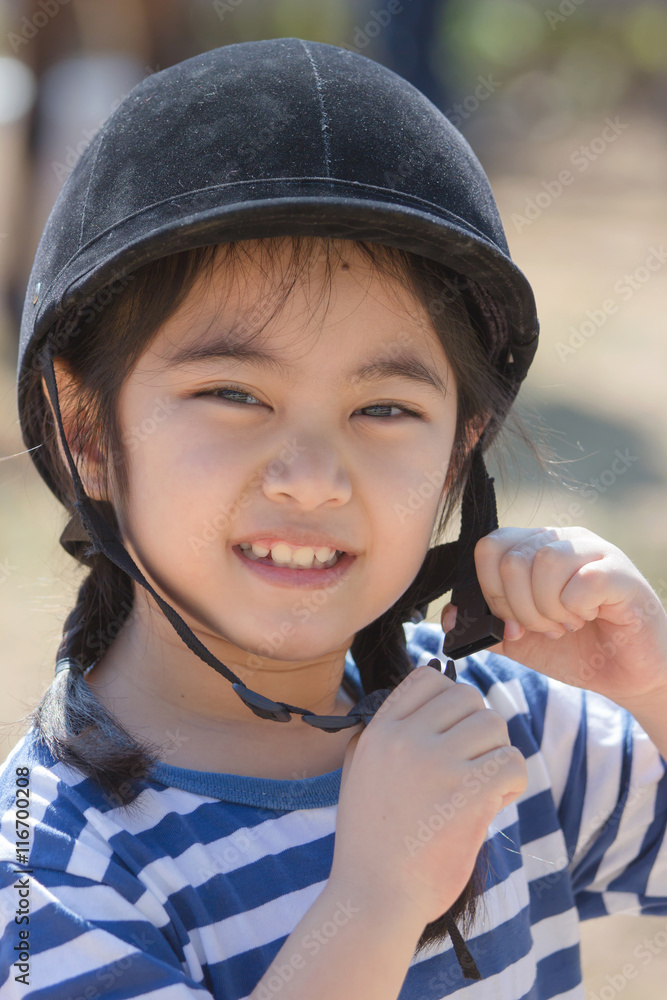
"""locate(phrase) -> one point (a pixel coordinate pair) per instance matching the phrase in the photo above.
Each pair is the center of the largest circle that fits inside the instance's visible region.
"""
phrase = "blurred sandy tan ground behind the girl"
(604, 395)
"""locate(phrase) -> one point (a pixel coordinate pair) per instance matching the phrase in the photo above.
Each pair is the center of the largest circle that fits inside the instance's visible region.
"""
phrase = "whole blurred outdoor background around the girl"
(564, 103)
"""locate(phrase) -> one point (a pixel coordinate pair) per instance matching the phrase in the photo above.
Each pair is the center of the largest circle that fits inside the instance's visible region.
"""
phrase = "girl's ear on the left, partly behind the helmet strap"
(87, 456)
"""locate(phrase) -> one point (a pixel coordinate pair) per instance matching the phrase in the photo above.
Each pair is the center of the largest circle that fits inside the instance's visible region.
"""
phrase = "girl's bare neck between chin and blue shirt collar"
(163, 693)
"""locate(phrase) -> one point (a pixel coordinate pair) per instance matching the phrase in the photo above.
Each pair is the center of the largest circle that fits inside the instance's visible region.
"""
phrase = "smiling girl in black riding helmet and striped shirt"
(271, 327)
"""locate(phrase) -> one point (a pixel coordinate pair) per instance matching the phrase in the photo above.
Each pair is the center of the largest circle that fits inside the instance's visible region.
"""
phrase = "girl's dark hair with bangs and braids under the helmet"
(70, 719)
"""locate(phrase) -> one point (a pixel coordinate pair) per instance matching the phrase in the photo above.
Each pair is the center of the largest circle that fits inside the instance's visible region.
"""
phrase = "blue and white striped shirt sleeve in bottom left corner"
(84, 939)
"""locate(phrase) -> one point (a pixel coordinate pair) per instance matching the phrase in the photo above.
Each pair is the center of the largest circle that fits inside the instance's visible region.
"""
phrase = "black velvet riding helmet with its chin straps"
(349, 149)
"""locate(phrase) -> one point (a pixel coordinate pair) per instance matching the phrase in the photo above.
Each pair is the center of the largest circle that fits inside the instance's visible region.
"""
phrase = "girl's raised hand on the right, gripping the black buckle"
(542, 580)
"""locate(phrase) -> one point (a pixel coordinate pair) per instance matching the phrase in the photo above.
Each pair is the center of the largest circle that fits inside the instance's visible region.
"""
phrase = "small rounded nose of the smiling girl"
(310, 472)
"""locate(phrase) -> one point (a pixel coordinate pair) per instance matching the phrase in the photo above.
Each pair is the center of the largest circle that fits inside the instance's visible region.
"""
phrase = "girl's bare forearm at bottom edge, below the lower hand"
(346, 945)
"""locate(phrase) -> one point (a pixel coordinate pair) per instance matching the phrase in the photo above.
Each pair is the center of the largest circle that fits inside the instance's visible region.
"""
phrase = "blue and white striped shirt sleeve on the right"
(609, 784)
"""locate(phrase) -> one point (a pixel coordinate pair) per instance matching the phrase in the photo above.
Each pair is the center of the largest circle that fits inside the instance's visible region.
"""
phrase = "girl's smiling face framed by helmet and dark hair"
(334, 423)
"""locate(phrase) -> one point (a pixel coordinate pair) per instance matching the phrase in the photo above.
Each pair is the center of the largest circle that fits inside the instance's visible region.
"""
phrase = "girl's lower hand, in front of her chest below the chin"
(433, 760)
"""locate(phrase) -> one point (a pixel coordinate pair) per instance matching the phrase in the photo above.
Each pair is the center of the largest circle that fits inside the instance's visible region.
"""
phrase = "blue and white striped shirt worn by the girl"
(191, 891)
